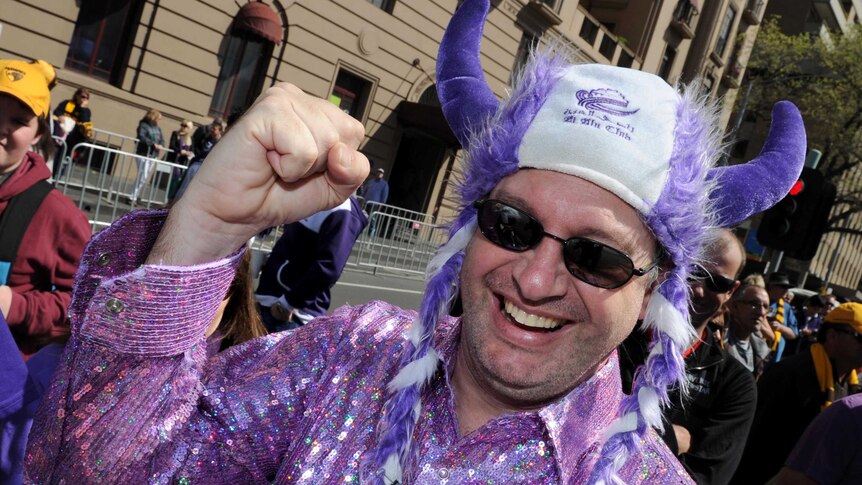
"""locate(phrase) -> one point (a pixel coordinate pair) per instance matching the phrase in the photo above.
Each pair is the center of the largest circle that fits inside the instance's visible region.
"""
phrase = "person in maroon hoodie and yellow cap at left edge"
(36, 277)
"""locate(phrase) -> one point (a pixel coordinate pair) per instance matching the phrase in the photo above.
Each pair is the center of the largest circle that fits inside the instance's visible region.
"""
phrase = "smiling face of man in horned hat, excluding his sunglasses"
(507, 294)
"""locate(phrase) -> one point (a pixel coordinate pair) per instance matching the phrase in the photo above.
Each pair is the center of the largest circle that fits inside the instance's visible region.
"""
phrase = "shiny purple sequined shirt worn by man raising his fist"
(135, 400)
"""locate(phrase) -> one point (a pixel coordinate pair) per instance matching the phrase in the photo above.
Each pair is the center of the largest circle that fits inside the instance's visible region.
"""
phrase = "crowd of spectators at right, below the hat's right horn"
(767, 363)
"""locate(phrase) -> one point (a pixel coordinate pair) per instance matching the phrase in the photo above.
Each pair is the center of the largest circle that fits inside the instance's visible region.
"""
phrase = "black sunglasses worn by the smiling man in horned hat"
(590, 261)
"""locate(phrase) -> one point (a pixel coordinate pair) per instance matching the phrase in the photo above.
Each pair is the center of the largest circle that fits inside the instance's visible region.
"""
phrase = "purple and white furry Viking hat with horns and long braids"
(626, 131)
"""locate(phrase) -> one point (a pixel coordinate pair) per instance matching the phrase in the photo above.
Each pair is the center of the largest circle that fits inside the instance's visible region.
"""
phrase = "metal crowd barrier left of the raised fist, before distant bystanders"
(101, 180)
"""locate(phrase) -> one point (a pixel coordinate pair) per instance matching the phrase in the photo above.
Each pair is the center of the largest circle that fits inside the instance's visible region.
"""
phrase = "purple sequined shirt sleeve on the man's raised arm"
(136, 400)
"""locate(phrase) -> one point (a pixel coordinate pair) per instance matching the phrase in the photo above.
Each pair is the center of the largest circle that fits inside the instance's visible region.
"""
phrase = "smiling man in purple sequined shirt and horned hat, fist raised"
(586, 200)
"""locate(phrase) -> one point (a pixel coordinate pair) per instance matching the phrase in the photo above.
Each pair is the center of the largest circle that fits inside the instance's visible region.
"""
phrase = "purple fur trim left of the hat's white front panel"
(493, 152)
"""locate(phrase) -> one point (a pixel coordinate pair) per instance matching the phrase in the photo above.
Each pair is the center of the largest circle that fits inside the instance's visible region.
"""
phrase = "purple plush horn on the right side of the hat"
(746, 189)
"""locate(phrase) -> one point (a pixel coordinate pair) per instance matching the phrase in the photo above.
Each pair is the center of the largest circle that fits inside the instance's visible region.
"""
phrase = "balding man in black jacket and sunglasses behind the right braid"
(710, 424)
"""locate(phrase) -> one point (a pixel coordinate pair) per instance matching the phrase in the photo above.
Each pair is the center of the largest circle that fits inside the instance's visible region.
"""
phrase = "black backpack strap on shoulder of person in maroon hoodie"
(14, 223)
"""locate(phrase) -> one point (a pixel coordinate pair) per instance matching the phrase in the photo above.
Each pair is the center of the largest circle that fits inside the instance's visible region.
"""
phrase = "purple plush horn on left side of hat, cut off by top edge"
(464, 94)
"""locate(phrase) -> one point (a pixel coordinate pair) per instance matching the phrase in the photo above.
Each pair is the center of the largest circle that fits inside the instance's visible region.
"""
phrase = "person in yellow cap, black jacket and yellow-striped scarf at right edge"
(794, 391)
